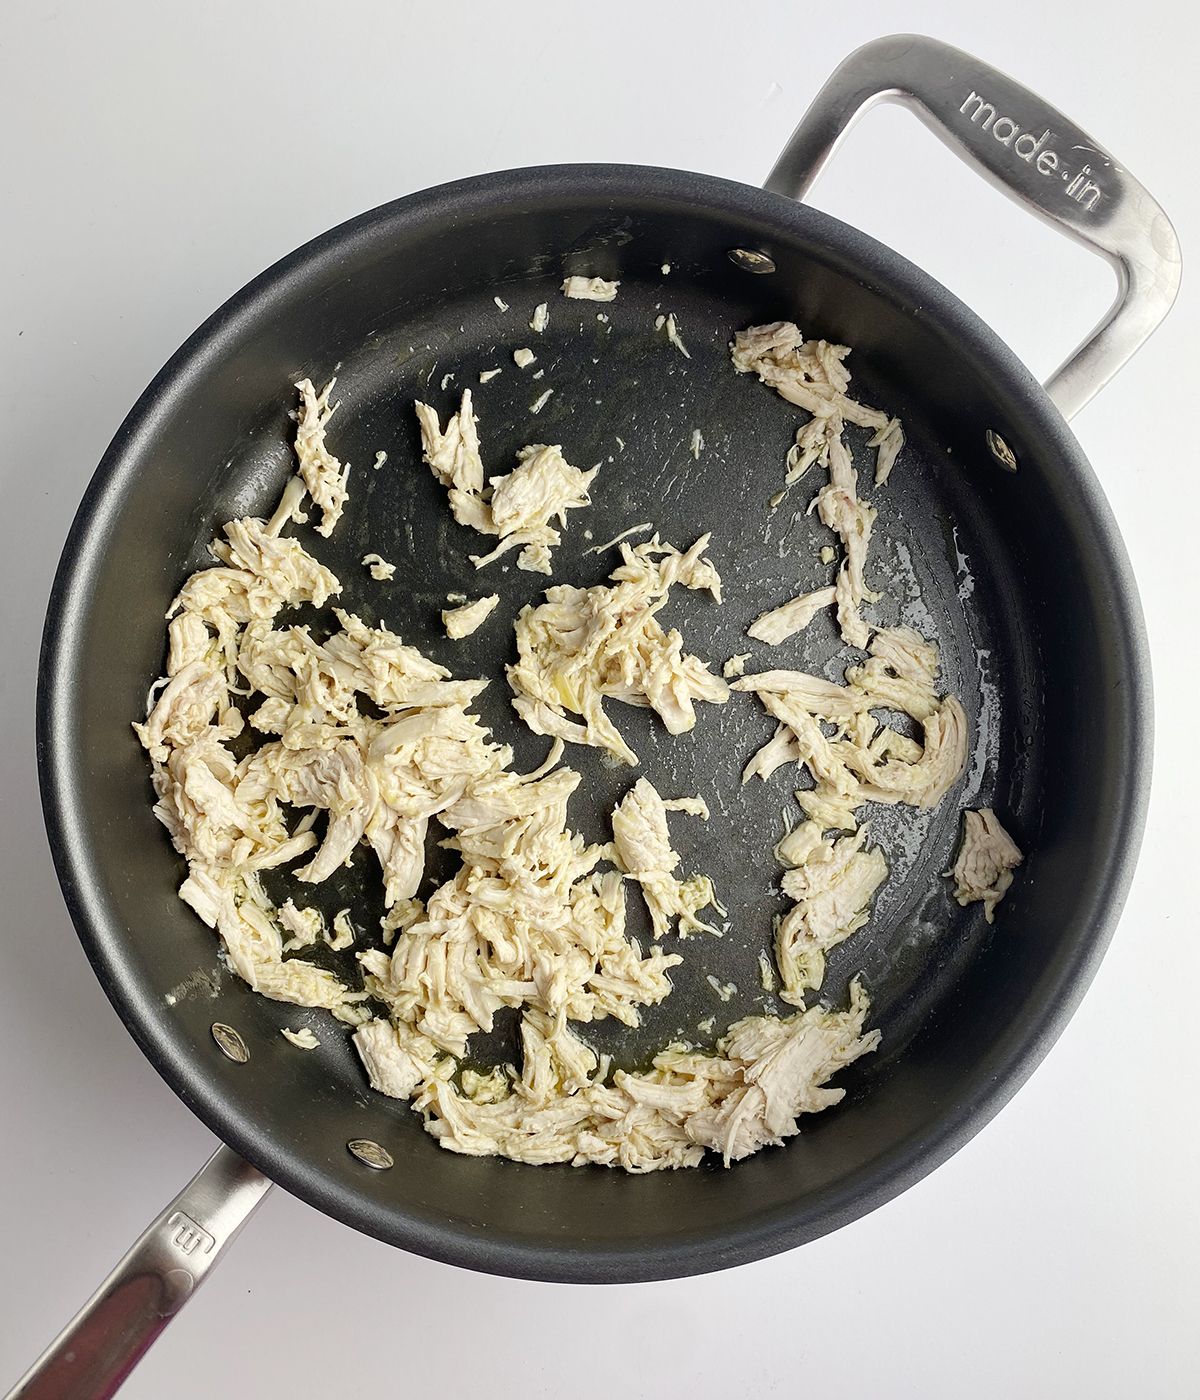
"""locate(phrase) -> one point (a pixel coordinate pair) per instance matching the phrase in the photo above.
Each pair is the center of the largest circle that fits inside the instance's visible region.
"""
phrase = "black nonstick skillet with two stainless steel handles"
(993, 537)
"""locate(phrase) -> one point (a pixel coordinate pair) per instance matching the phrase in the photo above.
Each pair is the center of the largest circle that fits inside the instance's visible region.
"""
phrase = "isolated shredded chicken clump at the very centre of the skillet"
(587, 643)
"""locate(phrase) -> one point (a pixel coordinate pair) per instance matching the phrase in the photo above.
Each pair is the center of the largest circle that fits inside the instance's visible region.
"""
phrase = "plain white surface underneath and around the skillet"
(160, 156)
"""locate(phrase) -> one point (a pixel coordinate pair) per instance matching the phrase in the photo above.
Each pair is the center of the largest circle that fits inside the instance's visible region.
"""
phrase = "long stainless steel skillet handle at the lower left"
(117, 1326)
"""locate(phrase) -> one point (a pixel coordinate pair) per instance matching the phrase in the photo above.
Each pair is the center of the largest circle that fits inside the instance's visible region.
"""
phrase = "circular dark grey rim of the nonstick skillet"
(873, 1186)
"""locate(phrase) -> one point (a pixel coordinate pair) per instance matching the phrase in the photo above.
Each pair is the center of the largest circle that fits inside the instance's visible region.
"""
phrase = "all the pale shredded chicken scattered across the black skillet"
(382, 741)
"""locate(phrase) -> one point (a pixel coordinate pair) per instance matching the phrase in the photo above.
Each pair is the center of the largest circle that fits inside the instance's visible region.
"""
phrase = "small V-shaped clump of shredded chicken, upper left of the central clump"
(517, 507)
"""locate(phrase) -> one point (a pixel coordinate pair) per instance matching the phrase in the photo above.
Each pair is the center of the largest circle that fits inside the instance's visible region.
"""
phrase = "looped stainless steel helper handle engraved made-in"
(1033, 153)
